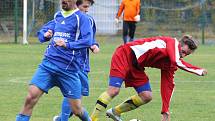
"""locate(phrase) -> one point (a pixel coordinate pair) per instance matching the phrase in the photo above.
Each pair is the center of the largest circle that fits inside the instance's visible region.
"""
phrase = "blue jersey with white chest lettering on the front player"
(75, 29)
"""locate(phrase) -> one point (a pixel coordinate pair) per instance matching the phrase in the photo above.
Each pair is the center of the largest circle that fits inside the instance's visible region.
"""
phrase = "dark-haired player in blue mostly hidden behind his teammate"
(66, 111)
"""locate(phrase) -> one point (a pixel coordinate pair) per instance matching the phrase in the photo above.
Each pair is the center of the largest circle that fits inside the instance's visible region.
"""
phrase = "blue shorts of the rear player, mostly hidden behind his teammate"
(84, 83)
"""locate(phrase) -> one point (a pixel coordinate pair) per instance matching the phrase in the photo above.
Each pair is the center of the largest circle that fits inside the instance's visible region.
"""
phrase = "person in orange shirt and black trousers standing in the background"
(131, 9)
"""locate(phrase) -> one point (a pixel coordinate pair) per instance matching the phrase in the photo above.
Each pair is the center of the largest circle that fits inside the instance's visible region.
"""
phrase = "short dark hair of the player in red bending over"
(188, 40)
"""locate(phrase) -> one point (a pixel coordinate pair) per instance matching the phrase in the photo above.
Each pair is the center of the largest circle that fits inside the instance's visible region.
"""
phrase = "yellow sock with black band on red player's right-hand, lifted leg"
(130, 104)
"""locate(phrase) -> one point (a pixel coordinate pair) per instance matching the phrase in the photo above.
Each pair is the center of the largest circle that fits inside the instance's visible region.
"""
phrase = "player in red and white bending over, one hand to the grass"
(128, 65)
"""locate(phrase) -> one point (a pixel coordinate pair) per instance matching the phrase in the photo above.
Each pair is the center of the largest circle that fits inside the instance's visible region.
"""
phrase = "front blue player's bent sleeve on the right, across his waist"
(86, 34)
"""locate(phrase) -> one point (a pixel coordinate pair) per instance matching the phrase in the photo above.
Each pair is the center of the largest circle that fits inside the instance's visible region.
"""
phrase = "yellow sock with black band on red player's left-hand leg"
(101, 104)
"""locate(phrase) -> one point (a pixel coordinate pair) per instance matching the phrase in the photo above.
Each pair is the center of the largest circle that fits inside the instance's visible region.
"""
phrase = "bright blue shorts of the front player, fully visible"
(49, 75)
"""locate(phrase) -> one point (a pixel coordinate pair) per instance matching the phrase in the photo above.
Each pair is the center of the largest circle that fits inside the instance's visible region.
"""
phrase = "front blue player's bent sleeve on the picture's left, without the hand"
(48, 26)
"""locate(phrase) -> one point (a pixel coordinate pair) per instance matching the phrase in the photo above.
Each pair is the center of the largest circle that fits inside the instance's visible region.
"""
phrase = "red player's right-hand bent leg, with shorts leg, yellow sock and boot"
(138, 79)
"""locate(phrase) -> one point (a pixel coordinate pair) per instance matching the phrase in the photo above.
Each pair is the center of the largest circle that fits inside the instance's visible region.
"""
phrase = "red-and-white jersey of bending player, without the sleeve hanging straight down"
(160, 52)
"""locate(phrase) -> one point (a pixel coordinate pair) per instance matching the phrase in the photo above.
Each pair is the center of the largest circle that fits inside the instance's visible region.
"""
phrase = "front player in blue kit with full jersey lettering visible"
(70, 34)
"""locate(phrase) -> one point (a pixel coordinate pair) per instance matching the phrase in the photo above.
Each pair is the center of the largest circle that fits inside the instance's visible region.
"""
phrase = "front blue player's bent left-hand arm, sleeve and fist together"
(46, 32)
